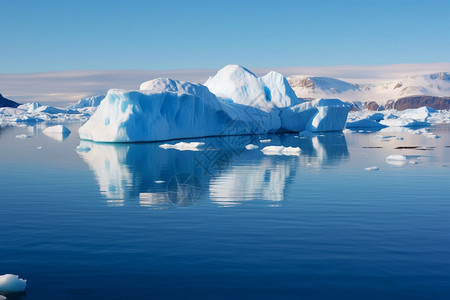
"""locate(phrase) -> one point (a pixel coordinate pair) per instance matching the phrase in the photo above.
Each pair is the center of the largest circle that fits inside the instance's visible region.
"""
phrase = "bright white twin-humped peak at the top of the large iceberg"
(236, 84)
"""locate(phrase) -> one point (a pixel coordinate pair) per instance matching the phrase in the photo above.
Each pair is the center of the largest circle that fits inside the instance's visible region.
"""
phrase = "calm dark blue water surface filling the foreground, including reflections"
(226, 223)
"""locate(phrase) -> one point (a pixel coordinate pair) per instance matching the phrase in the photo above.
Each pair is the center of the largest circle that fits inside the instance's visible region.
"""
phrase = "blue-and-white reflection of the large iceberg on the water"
(225, 174)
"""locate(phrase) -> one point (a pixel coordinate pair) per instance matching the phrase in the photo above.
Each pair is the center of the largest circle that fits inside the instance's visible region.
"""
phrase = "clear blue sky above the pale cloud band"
(38, 36)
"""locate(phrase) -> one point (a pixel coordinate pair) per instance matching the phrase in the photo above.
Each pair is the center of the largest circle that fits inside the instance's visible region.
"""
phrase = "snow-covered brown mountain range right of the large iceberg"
(432, 90)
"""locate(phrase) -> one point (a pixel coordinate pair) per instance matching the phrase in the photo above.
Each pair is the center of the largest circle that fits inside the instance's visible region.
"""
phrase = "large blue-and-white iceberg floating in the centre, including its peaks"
(234, 101)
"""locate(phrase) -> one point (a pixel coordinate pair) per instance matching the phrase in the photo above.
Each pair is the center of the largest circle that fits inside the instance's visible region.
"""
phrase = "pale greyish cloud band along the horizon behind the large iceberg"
(65, 87)
